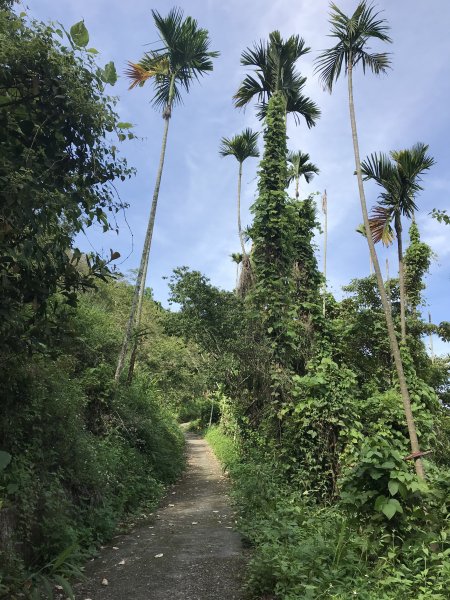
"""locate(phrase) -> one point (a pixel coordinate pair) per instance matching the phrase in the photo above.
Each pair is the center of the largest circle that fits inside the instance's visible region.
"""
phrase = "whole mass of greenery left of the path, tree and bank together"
(77, 452)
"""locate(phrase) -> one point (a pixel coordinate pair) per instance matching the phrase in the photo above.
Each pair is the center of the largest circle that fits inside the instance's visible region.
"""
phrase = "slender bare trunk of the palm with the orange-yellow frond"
(147, 242)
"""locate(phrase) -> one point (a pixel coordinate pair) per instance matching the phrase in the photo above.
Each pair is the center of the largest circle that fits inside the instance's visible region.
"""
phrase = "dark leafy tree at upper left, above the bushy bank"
(57, 174)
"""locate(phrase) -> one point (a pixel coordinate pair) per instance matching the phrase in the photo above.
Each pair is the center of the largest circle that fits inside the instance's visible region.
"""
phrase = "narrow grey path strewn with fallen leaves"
(189, 551)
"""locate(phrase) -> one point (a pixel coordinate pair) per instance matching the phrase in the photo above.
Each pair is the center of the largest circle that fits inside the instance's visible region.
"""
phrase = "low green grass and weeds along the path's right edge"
(304, 550)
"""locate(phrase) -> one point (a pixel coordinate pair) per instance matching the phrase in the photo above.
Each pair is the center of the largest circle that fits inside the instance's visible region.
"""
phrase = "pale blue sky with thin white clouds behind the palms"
(196, 223)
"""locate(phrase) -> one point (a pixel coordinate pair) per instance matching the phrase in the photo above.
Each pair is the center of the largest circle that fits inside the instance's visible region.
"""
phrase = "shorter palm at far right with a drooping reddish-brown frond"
(400, 179)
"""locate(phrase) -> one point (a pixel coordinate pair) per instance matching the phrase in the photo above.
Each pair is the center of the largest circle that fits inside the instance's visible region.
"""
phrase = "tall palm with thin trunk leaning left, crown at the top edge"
(352, 35)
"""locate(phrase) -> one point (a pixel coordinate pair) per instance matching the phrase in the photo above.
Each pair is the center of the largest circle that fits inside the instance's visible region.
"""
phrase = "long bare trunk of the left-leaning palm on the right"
(415, 448)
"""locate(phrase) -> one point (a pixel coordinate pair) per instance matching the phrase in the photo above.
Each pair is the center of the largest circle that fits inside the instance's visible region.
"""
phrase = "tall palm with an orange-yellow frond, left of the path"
(182, 58)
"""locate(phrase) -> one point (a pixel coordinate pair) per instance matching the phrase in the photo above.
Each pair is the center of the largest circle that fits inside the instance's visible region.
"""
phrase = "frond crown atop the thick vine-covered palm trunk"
(274, 62)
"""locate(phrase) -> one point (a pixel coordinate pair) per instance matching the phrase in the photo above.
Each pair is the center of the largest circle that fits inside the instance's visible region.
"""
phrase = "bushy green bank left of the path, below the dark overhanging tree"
(83, 454)
